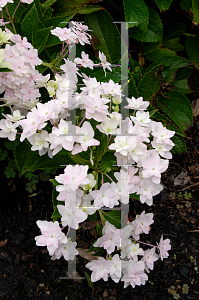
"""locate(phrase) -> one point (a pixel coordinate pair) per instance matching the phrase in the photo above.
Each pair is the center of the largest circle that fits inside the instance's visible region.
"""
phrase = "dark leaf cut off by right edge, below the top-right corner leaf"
(192, 47)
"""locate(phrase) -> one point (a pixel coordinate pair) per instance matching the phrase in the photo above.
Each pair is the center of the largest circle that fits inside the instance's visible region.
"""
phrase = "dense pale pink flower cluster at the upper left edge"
(20, 85)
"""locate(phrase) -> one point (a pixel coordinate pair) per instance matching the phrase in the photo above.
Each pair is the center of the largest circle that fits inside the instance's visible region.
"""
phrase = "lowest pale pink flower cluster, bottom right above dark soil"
(129, 268)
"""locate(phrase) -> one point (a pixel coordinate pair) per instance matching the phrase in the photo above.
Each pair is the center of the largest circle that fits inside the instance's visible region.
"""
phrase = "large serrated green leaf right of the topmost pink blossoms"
(107, 32)
